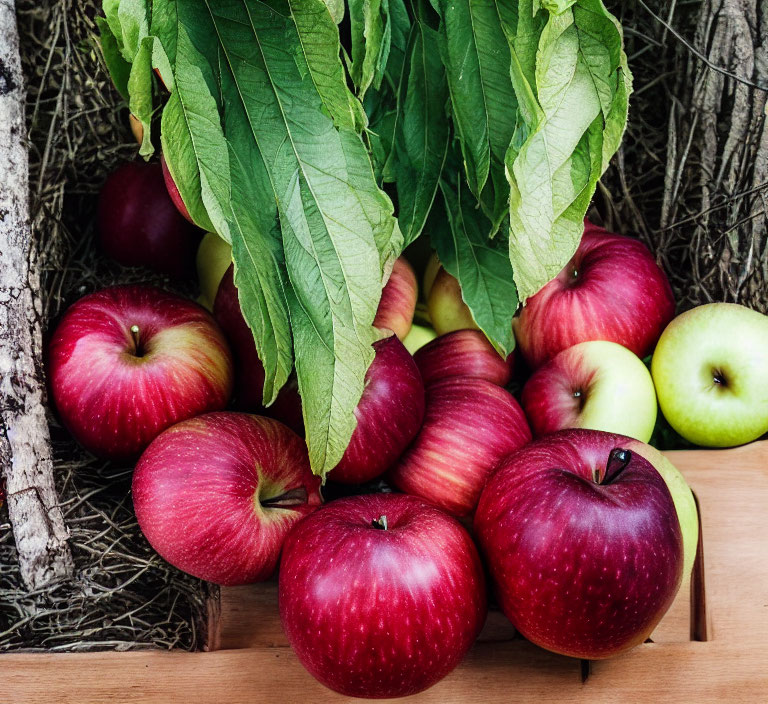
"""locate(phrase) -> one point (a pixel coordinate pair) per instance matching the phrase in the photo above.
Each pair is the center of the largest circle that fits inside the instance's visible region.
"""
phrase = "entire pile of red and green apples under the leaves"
(584, 530)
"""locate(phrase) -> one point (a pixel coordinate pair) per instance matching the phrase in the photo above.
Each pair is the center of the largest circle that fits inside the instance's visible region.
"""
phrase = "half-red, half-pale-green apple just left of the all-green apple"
(597, 385)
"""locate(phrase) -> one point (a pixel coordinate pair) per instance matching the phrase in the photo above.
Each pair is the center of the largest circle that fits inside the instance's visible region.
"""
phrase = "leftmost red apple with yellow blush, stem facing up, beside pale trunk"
(115, 401)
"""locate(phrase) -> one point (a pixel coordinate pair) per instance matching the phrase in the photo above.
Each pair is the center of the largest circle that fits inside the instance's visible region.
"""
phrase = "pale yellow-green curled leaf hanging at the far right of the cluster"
(573, 114)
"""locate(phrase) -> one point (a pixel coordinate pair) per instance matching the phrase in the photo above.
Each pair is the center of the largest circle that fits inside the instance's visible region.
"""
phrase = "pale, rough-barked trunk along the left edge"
(25, 448)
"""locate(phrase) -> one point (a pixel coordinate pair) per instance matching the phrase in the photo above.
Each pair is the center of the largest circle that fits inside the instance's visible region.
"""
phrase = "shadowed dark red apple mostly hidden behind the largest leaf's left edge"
(249, 371)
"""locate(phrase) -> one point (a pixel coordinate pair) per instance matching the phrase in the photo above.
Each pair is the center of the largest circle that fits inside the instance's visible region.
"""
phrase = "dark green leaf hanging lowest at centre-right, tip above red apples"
(480, 264)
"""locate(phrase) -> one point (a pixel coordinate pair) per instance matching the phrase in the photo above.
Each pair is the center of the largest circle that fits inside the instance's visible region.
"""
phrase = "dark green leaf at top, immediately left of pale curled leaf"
(476, 54)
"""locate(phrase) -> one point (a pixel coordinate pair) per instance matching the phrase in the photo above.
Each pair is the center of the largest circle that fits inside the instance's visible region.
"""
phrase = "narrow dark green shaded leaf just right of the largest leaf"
(422, 132)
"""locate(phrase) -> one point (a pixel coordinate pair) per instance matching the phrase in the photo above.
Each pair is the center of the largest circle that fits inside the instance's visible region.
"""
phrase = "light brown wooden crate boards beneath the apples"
(255, 663)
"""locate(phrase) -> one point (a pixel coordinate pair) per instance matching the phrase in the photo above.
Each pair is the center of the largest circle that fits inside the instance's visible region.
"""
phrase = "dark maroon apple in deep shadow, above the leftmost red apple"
(138, 224)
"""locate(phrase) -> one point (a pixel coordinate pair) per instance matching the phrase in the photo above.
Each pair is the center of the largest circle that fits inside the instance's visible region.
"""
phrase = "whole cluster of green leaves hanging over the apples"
(286, 123)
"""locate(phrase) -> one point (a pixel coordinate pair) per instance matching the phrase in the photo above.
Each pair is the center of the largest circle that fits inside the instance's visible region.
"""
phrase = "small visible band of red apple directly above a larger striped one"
(463, 353)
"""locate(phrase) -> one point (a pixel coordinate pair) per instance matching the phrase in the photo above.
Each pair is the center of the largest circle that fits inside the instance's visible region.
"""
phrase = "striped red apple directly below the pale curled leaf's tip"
(612, 289)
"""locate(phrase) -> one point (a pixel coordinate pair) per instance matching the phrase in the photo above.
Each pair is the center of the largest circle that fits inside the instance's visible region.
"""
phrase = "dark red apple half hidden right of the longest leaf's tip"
(389, 414)
